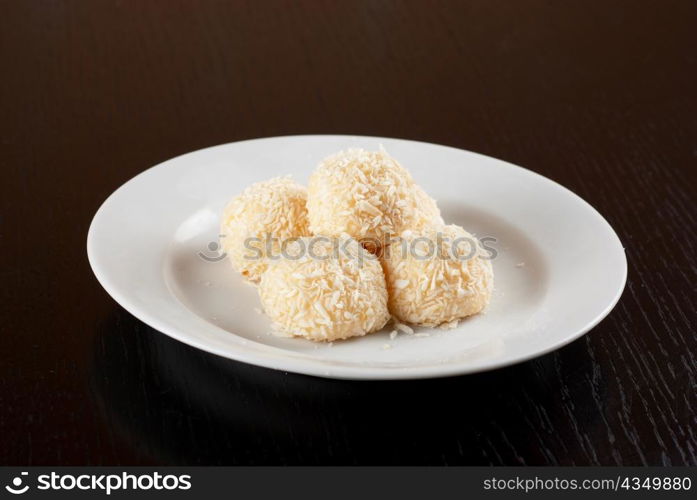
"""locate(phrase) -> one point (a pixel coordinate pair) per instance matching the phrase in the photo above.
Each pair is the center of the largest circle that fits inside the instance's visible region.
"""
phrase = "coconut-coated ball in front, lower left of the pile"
(325, 289)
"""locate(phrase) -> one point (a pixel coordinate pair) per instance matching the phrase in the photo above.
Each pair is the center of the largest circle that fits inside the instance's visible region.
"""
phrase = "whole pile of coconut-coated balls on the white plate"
(362, 244)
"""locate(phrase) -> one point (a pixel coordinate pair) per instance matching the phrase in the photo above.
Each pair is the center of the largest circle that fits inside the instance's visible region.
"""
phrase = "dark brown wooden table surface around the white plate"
(600, 96)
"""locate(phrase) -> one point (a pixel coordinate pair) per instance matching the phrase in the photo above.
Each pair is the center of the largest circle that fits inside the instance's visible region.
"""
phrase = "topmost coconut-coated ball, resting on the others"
(366, 194)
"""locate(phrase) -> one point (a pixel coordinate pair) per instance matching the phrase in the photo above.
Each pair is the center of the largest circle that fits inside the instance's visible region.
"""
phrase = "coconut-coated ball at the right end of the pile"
(434, 279)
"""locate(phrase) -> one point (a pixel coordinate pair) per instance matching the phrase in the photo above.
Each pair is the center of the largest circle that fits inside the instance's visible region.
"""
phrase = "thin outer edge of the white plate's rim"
(289, 364)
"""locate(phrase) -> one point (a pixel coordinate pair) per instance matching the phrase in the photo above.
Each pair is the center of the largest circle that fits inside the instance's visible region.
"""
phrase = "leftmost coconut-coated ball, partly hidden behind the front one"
(259, 220)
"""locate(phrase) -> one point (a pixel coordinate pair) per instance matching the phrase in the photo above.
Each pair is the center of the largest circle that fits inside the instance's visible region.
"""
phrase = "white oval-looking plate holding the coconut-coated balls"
(560, 267)
